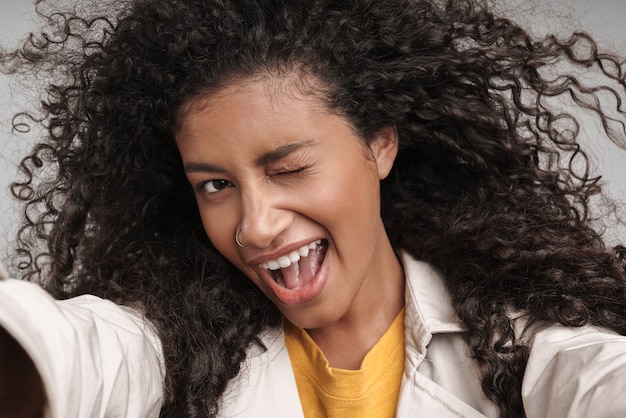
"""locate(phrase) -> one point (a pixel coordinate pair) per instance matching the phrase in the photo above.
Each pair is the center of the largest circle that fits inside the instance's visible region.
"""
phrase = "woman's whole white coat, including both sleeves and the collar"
(101, 360)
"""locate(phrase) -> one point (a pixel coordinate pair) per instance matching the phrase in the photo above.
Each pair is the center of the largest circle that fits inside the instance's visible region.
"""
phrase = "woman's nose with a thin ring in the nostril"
(262, 219)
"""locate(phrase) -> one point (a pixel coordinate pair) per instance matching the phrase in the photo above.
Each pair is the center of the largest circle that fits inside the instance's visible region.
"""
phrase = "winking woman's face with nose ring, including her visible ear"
(302, 189)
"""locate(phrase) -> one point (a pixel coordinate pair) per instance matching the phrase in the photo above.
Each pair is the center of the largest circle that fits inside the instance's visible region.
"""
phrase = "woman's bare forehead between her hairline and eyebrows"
(254, 116)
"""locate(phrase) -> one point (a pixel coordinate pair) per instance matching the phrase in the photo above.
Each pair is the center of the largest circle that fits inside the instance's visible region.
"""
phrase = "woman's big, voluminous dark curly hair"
(490, 185)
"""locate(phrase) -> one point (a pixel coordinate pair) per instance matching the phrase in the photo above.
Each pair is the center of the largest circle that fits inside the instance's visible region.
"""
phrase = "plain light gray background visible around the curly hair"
(602, 18)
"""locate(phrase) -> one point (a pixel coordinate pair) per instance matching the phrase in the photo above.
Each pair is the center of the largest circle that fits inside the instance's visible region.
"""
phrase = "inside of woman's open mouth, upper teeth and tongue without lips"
(298, 268)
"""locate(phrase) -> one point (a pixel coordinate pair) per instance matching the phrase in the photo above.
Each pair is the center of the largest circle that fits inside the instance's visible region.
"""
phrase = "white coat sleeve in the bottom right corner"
(576, 373)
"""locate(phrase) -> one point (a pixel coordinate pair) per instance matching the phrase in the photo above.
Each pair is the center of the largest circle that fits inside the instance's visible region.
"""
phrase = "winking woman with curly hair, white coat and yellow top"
(312, 201)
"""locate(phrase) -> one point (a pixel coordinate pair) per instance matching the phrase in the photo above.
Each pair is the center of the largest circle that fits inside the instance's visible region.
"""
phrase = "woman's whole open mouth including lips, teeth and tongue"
(295, 277)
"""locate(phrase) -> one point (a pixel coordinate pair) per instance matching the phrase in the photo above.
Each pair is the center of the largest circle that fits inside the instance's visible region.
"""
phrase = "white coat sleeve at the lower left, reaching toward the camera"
(96, 359)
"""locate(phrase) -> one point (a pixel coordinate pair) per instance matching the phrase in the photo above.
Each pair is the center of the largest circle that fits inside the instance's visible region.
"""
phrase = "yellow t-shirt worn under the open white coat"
(371, 391)
